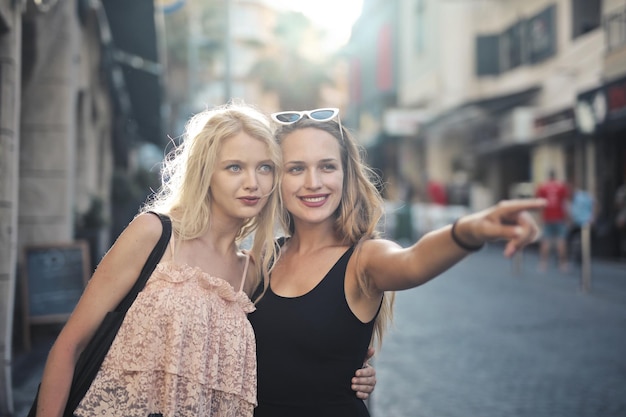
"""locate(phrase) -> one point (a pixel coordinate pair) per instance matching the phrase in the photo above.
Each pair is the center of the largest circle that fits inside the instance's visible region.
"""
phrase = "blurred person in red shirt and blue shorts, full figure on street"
(554, 218)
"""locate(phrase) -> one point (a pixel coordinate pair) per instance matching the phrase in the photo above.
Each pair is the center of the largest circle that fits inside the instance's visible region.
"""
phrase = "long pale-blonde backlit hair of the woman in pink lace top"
(186, 177)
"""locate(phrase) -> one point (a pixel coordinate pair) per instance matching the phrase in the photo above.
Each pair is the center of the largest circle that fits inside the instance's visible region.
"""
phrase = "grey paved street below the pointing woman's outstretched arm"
(481, 341)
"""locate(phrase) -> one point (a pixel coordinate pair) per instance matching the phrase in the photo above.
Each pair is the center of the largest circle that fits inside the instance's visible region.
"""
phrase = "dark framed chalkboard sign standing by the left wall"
(53, 279)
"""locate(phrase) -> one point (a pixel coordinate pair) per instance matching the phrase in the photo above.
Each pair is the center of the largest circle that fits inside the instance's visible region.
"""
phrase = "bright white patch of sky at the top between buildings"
(334, 16)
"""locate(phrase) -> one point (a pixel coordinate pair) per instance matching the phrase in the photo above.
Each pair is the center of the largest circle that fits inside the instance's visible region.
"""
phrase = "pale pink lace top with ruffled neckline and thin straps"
(186, 348)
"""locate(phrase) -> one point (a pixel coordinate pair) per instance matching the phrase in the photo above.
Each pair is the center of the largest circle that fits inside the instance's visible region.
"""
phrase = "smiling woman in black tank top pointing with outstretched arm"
(331, 288)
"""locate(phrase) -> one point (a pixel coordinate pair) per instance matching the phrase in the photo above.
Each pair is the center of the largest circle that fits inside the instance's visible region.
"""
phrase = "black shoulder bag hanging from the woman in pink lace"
(90, 360)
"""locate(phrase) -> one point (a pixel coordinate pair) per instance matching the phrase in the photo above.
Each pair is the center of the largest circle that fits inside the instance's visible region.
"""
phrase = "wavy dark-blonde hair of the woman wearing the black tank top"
(360, 209)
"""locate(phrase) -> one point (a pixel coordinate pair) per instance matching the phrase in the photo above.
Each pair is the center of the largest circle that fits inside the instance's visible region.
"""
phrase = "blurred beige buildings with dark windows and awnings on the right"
(497, 92)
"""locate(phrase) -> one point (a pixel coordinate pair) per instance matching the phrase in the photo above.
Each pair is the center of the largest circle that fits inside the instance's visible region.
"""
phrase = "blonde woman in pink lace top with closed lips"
(186, 347)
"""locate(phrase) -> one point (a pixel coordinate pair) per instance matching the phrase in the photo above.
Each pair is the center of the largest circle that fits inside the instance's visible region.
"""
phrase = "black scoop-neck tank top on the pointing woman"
(308, 349)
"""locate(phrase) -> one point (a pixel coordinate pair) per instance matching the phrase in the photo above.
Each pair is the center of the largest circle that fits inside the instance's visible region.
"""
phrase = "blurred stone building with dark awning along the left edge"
(80, 91)
